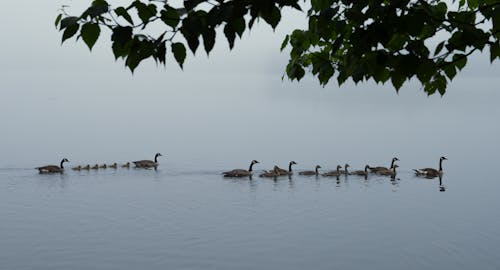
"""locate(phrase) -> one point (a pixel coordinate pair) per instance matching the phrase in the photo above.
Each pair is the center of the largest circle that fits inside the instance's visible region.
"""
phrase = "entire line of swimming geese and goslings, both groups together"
(275, 172)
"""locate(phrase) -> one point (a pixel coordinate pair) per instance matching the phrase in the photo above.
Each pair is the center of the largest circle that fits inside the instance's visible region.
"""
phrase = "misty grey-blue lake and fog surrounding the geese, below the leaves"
(218, 114)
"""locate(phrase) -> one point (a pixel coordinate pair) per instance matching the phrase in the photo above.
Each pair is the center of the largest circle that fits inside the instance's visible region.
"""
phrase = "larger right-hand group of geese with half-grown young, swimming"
(379, 170)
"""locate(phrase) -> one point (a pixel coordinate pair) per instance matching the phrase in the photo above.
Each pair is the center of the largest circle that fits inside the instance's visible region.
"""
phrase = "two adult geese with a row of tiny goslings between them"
(138, 164)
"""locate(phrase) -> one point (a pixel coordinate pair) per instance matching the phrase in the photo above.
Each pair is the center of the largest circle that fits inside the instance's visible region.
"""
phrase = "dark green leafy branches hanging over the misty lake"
(382, 40)
